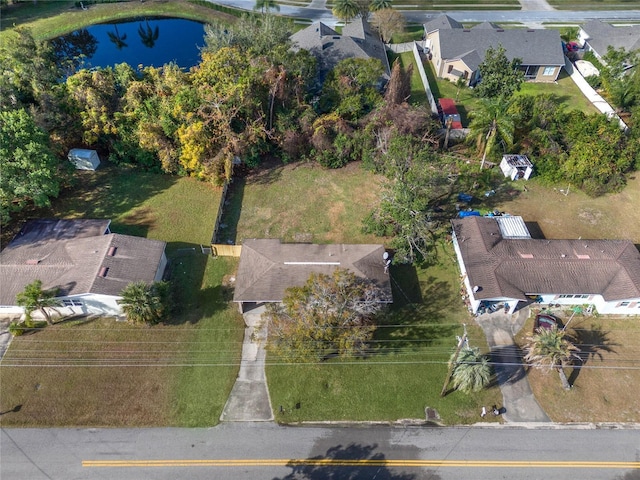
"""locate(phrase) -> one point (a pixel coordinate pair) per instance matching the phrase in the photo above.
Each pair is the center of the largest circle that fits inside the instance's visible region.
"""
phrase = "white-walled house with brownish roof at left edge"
(87, 264)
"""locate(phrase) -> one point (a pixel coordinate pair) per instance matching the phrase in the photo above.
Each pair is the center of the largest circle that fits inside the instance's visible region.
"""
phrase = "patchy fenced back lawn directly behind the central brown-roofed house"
(302, 202)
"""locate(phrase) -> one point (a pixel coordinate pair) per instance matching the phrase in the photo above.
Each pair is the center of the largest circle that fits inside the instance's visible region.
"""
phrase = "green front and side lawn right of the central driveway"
(407, 369)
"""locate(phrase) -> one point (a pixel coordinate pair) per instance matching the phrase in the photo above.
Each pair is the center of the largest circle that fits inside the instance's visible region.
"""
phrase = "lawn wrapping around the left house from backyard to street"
(114, 374)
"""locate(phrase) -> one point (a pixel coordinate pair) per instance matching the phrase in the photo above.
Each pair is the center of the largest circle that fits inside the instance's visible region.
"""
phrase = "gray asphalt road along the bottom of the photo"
(267, 451)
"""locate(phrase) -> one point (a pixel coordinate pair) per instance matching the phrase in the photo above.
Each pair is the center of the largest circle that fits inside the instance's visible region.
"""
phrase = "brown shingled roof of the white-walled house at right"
(514, 268)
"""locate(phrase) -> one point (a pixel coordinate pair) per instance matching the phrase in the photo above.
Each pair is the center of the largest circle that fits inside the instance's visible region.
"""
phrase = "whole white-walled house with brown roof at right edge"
(501, 264)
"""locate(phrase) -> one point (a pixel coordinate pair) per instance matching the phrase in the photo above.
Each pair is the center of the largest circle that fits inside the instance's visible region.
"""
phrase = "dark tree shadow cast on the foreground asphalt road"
(367, 464)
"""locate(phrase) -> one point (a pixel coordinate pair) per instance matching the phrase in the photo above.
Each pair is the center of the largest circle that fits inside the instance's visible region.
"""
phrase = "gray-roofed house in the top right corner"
(598, 36)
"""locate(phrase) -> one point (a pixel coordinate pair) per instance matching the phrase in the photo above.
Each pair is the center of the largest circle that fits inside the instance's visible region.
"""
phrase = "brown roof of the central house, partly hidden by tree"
(268, 267)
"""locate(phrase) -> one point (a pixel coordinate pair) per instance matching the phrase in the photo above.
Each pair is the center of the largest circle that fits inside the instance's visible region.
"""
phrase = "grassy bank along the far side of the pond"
(51, 19)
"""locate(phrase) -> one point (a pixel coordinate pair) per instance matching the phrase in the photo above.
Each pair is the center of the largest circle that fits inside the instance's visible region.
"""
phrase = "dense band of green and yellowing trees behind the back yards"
(252, 96)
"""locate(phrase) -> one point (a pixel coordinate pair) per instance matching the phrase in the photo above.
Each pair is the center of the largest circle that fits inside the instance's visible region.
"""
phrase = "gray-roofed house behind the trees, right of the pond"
(329, 47)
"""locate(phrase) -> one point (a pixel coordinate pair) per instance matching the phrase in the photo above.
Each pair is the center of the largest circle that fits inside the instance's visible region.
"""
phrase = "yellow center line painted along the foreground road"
(330, 462)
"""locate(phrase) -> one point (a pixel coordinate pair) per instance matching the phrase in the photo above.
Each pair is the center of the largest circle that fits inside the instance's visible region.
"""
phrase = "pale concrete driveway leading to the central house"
(249, 400)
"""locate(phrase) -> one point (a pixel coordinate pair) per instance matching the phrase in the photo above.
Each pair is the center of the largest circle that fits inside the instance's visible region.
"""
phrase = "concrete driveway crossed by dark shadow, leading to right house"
(518, 400)
